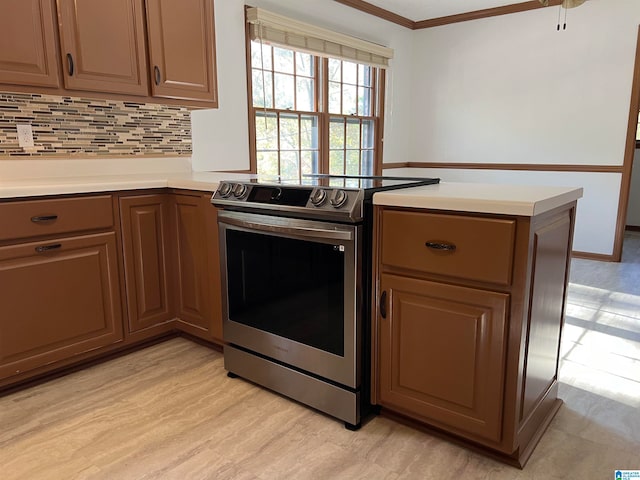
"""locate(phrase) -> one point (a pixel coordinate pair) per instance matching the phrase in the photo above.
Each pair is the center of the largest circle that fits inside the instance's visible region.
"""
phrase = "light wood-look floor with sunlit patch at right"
(170, 412)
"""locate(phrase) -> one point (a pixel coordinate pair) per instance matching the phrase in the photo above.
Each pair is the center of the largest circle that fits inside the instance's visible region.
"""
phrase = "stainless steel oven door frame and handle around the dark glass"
(344, 370)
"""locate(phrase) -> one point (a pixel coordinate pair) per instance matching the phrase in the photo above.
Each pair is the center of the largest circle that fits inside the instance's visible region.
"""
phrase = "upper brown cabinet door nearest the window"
(181, 49)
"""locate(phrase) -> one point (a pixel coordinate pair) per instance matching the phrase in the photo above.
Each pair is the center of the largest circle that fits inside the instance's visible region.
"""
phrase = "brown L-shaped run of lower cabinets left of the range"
(84, 275)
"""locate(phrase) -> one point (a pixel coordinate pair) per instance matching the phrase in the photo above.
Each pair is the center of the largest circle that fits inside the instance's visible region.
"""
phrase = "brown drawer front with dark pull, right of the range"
(480, 248)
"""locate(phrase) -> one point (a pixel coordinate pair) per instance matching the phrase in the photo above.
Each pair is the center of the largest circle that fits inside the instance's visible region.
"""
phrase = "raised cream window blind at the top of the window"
(276, 29)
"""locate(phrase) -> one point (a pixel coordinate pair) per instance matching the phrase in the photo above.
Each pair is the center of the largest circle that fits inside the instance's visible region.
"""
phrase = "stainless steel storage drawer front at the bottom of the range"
(323, 396)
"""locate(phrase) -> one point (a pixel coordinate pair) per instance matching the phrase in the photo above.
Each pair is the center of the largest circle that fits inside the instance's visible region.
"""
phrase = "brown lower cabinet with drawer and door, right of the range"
(466, 336)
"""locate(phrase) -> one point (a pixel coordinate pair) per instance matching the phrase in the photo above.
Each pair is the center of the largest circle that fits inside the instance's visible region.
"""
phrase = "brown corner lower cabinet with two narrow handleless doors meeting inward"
(171, 264)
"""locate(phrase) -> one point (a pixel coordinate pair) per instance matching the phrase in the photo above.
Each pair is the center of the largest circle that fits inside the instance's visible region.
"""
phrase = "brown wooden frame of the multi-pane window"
(321, 102)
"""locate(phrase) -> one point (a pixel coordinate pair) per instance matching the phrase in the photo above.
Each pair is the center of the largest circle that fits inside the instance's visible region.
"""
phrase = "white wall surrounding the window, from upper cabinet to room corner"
(220, 136)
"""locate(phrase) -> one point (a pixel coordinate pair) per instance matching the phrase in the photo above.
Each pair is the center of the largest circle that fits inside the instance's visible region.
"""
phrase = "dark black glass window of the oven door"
(290, 288)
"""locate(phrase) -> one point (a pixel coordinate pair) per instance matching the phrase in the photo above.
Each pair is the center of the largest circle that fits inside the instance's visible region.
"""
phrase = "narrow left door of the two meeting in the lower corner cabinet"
(146, 267)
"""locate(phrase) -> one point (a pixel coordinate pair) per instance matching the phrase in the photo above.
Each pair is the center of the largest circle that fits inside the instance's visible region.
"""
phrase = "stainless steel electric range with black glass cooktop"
(296, 279)
